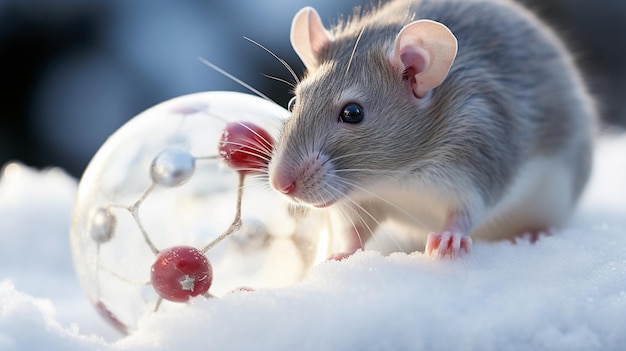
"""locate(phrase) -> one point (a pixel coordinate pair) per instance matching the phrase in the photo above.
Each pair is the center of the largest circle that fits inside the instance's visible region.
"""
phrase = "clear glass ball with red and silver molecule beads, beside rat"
(176, 205)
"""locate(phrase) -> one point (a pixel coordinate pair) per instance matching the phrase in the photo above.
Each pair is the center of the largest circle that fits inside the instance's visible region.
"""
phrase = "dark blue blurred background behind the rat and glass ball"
(73, 71)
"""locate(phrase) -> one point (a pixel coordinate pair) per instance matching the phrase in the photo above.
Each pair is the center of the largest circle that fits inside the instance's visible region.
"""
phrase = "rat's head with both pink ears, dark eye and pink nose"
(358, 114)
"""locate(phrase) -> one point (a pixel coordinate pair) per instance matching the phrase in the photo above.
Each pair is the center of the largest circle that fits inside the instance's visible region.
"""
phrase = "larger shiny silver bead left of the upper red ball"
(172, 167)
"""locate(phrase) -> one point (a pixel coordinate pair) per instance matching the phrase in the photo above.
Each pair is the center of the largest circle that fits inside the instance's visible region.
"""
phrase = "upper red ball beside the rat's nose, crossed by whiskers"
(245, 146)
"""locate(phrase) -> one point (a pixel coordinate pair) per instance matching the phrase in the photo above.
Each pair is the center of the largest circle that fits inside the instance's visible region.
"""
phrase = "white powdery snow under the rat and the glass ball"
(565, 292)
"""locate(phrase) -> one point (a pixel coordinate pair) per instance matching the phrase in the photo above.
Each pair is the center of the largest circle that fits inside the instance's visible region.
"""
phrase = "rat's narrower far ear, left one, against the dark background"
(309, 36)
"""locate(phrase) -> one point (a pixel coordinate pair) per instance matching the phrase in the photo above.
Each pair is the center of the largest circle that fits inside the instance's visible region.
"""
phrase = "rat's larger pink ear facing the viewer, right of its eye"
(424, 50)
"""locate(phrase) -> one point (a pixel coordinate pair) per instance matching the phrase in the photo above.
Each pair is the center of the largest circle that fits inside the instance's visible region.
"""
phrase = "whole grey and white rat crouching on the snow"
(468, 119)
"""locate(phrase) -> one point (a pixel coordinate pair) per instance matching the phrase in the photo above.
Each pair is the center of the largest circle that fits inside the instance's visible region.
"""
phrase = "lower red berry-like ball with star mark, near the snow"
(180, 273)
